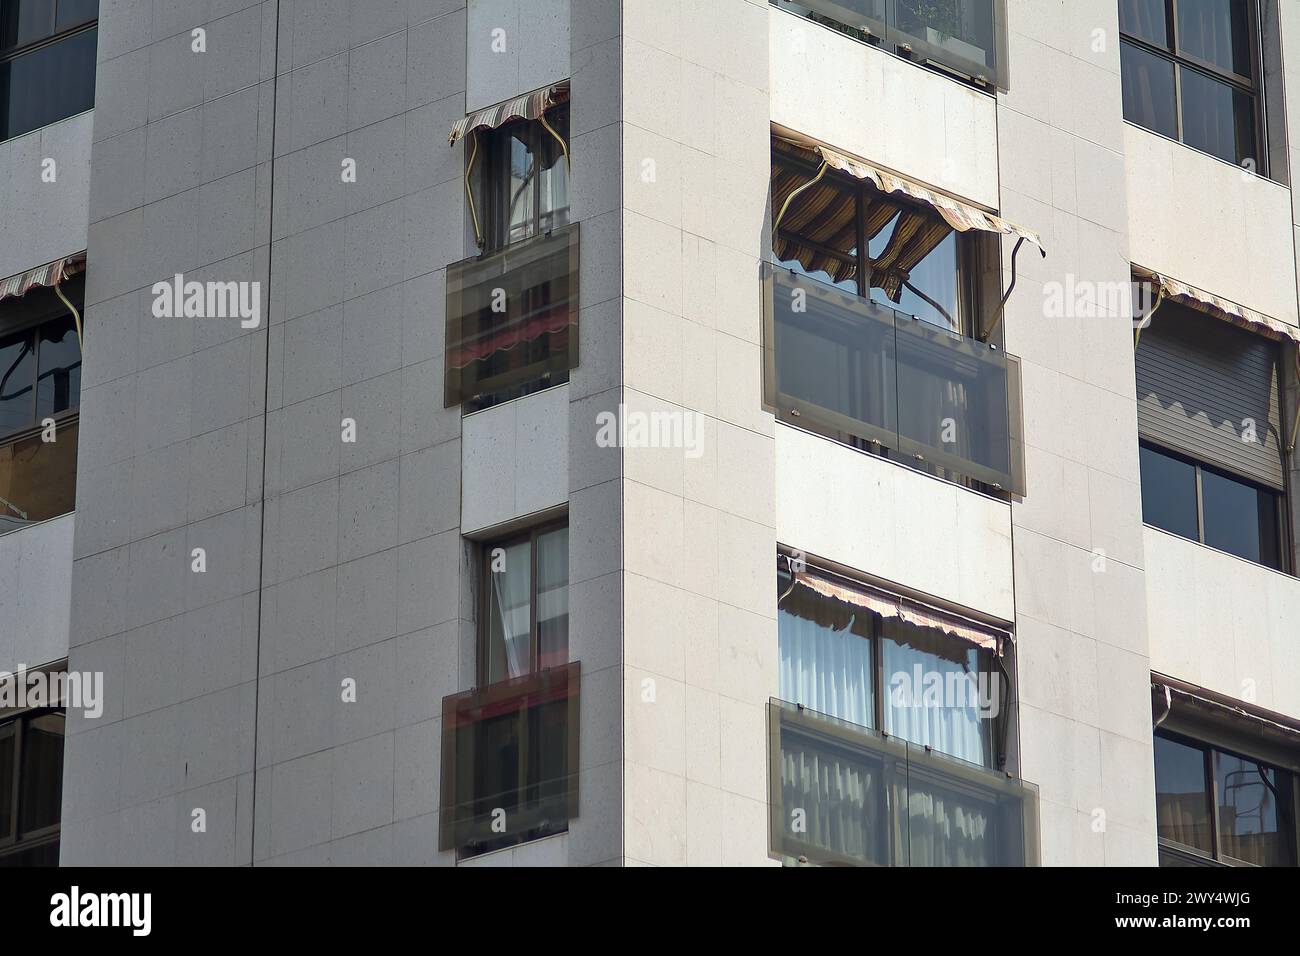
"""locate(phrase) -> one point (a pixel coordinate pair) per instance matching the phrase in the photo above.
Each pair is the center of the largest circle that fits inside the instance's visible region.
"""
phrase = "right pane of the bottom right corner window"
(1255, 812)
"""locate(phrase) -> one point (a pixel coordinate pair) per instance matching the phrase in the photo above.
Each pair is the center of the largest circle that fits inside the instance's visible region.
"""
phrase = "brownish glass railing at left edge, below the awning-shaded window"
(38, 479)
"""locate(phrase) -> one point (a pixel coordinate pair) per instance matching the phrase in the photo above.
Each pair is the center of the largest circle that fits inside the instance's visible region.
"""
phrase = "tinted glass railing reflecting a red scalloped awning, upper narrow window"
(513, 321)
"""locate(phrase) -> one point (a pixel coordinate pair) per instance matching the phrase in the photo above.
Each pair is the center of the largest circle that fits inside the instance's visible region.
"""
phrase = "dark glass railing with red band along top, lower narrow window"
(510, 762)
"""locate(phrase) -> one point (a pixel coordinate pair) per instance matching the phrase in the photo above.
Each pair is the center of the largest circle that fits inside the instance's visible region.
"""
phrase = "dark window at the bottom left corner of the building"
(32, 775)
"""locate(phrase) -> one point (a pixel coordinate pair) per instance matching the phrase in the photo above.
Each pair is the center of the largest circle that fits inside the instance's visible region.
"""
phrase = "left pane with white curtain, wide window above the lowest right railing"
(825, 654)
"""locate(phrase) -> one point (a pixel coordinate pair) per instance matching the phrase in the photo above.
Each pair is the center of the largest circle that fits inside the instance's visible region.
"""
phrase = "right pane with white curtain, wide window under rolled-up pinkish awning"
(939, 693)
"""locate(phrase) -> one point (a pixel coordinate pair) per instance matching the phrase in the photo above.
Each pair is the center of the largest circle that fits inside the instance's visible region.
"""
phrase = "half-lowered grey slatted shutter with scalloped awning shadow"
(1199, 380)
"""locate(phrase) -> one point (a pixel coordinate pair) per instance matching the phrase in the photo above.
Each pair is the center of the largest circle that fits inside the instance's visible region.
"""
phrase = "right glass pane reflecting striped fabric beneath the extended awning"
(917, 275)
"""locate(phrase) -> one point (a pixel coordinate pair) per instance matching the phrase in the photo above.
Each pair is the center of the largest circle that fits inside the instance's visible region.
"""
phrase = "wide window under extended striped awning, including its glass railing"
(873, 321)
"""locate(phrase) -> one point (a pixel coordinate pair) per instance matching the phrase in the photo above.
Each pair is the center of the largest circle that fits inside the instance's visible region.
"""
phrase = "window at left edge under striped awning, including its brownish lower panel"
(40, 401)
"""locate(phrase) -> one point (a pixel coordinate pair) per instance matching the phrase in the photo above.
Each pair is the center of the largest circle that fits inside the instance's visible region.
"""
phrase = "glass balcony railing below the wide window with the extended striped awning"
(842, 364)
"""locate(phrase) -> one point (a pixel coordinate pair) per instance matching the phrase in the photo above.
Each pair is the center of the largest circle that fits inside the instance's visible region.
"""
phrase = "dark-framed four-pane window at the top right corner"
(1191, 71)
